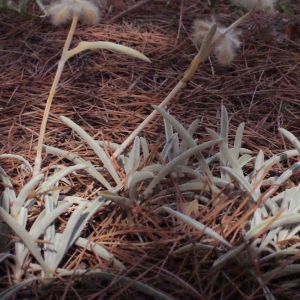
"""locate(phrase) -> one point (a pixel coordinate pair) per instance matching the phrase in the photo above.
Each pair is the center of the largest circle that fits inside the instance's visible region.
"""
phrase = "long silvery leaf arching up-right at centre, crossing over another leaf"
(176, 161)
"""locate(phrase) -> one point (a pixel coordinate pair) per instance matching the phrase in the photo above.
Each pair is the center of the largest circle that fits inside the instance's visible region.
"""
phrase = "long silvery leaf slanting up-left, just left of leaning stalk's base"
(94, 145)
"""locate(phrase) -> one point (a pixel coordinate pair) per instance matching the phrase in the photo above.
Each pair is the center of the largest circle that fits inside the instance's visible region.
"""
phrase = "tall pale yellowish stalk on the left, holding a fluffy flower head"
(61, 64)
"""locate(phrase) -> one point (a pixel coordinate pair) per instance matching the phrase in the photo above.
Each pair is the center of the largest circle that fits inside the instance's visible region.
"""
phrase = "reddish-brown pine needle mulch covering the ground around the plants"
(110, 95)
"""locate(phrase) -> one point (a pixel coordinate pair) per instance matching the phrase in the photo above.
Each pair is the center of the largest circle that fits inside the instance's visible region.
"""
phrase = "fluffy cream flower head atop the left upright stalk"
(63, 11)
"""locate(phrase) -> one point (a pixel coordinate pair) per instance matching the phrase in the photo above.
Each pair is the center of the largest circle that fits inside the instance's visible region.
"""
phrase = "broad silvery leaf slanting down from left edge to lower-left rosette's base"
(26, 238)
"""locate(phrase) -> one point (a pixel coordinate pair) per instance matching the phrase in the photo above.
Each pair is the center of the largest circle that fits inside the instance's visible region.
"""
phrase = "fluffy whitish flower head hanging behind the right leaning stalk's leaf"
(226, 48)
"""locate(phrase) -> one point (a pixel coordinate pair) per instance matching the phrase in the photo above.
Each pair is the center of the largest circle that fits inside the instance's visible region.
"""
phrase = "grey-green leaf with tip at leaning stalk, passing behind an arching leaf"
(186, 136)
